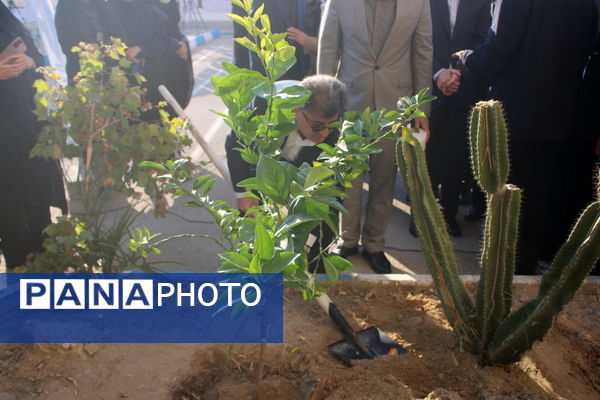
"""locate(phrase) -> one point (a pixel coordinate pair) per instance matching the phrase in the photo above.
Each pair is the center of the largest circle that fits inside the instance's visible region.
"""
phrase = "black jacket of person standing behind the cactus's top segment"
(536, 61)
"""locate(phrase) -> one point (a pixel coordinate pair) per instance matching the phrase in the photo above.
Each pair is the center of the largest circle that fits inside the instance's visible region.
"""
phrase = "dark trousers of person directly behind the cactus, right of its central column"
(534, 167)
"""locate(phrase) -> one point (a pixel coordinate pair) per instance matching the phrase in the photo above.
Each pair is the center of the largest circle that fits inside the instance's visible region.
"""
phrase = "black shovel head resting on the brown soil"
(373, 339)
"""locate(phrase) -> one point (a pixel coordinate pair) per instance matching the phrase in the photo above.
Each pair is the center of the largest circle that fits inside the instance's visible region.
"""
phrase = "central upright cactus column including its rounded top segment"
(489, 156)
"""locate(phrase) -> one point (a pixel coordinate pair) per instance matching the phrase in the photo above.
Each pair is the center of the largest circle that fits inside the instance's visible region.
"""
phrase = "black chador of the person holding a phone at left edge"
(27, 186)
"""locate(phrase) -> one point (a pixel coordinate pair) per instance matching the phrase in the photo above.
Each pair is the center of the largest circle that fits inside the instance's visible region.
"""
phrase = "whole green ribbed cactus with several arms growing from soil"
(497, 335)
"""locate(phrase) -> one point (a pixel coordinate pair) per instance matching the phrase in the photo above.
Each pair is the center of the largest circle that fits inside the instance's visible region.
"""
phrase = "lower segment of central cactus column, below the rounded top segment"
(494, 292)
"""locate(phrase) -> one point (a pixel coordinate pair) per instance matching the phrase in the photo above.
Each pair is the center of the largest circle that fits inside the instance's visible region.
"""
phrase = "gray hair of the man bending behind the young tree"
(328, 95)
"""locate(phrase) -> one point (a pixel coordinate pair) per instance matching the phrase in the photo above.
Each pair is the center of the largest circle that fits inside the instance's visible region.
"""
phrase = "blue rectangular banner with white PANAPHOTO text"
(141, 308)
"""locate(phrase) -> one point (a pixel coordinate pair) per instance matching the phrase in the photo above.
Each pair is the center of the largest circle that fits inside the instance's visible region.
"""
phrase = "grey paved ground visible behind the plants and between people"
(202, 254)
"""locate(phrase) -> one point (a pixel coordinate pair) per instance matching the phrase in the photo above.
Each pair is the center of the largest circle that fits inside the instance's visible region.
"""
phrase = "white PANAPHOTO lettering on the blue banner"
(134, 294)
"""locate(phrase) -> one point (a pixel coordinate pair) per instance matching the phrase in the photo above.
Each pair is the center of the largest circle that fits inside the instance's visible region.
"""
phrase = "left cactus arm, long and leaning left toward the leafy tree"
(434, 238)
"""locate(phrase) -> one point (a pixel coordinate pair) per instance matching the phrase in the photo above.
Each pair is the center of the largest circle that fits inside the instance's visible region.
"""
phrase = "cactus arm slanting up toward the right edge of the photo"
(531, 322)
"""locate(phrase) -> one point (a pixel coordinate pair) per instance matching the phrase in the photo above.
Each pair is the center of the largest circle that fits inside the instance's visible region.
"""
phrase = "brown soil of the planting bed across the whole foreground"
(566, 365)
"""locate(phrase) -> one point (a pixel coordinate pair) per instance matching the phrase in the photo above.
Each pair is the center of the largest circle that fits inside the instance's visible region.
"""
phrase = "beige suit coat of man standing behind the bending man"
(403, 66)
